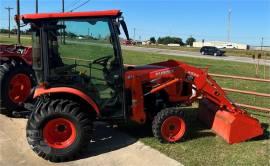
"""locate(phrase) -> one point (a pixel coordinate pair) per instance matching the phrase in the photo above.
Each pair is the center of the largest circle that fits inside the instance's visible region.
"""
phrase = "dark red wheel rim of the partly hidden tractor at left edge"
(19, 88)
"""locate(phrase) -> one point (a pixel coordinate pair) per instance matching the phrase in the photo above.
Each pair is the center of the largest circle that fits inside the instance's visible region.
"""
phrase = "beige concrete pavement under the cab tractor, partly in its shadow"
(110, 148)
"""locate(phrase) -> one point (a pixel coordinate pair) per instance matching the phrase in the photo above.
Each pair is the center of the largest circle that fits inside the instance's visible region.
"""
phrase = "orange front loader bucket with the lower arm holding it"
(217, 111)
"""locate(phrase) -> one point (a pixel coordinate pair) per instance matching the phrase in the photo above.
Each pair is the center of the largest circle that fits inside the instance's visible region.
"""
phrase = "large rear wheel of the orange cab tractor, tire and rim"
(58, 130)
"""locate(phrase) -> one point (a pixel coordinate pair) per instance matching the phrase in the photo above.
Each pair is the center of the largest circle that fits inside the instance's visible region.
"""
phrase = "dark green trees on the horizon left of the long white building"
(172, 40)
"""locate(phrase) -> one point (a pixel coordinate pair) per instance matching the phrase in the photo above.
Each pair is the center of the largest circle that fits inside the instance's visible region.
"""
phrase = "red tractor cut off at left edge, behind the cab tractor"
(16, 76)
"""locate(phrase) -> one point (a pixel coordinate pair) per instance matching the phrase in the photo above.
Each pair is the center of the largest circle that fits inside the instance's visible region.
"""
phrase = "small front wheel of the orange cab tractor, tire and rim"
(169, 125)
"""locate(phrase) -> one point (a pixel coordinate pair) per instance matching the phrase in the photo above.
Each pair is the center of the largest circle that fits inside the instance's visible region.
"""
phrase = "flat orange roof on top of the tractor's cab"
(43, 16)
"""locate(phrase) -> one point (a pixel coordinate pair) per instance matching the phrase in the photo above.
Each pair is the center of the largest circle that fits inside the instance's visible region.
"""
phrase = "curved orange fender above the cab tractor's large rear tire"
(67, 90)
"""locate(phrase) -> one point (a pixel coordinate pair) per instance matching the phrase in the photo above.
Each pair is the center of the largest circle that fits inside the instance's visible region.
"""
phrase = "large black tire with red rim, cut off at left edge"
(16, 82)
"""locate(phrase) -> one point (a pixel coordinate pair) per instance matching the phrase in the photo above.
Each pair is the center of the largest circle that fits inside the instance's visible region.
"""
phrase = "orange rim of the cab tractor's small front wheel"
(173, 128)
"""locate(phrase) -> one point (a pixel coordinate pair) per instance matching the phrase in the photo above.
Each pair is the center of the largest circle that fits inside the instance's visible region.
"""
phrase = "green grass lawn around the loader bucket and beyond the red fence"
(201, 146)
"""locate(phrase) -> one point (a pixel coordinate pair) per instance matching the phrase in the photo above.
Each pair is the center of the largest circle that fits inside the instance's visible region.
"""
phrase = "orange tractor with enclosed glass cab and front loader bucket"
(81, 77)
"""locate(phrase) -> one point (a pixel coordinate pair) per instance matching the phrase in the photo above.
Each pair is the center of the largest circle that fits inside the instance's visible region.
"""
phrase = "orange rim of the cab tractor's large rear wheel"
(59, 133)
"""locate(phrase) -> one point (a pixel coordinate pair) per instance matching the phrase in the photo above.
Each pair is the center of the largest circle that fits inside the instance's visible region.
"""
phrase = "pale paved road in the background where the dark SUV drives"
(194, 54)
